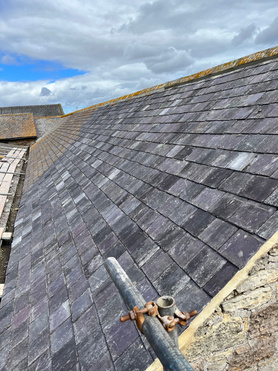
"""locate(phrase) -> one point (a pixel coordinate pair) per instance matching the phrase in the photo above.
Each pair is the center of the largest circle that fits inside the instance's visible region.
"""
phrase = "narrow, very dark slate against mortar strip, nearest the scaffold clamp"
(220, 279)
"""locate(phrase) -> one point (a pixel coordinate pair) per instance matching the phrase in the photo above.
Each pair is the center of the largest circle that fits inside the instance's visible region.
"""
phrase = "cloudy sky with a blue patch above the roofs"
(83, 52)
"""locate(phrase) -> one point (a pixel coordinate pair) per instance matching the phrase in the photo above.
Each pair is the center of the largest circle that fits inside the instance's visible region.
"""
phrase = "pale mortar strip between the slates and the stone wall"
(186, 337)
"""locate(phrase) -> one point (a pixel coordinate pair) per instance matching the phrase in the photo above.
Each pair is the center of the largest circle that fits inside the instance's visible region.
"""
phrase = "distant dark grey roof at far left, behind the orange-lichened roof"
(37, 110)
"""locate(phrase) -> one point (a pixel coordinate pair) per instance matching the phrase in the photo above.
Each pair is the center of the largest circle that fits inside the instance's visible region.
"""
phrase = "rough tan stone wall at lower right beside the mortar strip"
(242, 331)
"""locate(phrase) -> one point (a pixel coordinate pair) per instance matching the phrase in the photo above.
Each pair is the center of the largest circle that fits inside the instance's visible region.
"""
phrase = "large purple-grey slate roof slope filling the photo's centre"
(179, 185)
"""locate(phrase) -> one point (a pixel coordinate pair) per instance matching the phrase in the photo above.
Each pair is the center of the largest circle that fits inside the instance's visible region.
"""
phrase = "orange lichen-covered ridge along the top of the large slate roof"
(255, 57)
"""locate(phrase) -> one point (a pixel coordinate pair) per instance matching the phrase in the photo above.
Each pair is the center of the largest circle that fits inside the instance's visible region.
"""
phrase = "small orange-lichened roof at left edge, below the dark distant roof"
(17, 126)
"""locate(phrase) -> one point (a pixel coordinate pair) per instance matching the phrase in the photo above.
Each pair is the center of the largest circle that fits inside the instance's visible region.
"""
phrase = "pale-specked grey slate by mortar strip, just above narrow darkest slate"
(240, 248)
